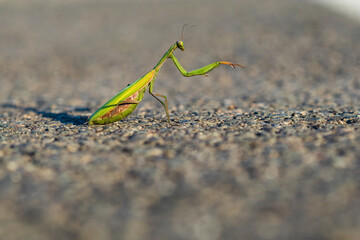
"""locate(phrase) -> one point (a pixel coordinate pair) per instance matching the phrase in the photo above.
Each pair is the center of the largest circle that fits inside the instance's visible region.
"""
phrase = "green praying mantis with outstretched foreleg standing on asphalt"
(125, 102)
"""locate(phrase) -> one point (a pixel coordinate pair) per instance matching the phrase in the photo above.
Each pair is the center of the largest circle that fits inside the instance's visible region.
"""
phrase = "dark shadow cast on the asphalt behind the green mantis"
(63, 117)
